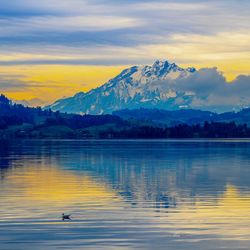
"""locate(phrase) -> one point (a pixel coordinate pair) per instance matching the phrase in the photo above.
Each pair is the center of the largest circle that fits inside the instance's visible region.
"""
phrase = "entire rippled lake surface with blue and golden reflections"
(125, 195)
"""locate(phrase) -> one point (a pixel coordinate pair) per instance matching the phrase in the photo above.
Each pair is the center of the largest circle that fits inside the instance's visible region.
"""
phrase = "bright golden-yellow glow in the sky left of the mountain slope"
(50, 82)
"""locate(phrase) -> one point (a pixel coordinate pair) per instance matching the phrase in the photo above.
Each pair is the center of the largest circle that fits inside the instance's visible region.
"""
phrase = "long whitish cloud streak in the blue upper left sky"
(24, 26)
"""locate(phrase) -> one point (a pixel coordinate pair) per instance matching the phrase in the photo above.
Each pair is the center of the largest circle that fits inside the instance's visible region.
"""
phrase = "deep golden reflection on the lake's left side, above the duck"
(53, 186)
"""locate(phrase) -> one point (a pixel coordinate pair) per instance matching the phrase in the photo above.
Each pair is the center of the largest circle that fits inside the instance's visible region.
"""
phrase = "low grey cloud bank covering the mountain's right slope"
(211, 90)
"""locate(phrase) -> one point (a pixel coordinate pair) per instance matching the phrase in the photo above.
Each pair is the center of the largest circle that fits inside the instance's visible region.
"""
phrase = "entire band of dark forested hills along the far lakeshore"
(17, 121)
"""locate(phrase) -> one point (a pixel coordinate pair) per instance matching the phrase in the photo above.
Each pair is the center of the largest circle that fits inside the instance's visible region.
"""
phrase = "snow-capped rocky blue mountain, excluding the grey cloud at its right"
(135, 87)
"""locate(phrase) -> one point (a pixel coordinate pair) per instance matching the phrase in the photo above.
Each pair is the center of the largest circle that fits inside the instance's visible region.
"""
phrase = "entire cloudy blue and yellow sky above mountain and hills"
(54, 48)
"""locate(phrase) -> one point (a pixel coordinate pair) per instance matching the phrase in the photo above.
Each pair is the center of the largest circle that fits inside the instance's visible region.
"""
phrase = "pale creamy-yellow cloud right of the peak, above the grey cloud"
(230, 52)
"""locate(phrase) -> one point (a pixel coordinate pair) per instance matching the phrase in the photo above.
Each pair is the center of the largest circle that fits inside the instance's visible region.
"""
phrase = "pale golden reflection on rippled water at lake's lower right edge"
(227, 215)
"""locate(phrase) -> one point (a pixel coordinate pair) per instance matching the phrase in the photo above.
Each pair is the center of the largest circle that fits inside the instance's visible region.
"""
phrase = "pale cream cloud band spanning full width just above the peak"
(230, 51)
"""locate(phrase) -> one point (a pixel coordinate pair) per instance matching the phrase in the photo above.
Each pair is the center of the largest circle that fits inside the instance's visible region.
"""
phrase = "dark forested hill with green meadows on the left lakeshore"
(19, 121)
